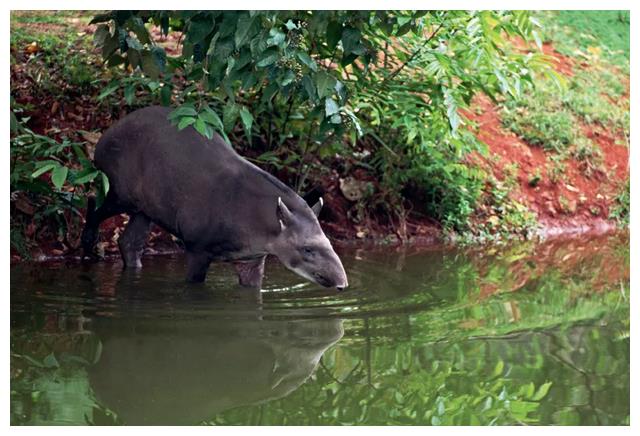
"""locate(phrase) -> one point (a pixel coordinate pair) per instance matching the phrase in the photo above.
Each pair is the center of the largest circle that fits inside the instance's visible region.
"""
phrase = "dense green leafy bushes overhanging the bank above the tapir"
(296, 85)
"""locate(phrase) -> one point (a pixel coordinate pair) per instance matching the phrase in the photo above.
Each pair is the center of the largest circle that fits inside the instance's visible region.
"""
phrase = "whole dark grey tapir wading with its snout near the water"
(223, 207)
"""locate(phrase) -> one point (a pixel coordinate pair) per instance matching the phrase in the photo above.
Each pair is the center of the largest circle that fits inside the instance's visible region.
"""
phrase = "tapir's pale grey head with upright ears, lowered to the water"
(303, 248)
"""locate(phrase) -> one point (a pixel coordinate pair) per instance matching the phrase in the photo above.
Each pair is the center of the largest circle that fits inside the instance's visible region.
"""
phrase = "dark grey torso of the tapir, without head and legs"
(187, 183)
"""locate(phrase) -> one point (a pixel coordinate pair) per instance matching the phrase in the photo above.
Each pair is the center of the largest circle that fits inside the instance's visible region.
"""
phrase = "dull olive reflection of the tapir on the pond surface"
(187, 371)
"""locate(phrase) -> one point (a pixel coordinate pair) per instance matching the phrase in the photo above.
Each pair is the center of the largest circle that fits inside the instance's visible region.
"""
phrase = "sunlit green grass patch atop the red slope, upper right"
(551, 116)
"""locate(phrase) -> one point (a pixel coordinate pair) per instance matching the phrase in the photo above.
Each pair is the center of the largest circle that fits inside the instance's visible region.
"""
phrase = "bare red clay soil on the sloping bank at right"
(586, 200)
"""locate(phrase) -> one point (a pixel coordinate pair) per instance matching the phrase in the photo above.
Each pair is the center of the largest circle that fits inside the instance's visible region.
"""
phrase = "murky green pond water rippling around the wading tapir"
(524, 334)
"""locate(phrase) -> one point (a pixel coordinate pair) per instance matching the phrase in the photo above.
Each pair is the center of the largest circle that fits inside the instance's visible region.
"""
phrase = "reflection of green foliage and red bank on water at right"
(512, 358)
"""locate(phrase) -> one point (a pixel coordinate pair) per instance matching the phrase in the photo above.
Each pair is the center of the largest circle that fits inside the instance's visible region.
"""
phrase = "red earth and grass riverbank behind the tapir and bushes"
(553, 163)
